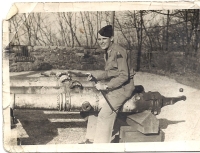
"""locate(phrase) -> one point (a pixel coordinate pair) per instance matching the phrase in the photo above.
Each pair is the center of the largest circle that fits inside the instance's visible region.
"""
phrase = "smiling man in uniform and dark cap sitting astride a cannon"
(119, 88)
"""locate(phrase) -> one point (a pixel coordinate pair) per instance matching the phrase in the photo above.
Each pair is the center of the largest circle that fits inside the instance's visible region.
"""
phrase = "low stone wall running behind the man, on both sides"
(79, 58)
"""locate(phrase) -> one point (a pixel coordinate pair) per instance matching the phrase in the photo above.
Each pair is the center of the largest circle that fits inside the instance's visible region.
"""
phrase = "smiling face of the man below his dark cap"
(104, 42)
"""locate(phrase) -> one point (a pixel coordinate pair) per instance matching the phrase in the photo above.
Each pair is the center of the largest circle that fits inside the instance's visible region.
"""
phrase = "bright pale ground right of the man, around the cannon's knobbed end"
(181, 121)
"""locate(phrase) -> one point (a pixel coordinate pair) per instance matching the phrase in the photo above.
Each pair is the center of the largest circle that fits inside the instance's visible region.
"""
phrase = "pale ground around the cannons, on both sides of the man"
(179, 122)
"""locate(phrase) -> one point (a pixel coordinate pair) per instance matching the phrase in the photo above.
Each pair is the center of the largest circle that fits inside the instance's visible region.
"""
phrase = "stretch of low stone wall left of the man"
(58, 57)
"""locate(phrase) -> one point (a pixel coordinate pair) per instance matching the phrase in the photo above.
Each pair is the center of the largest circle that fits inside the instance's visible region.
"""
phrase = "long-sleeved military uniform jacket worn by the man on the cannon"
(118, 69)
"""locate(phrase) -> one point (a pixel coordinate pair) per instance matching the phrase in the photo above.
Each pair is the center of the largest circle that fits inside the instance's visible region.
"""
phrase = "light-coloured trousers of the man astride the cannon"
(99, 129)
